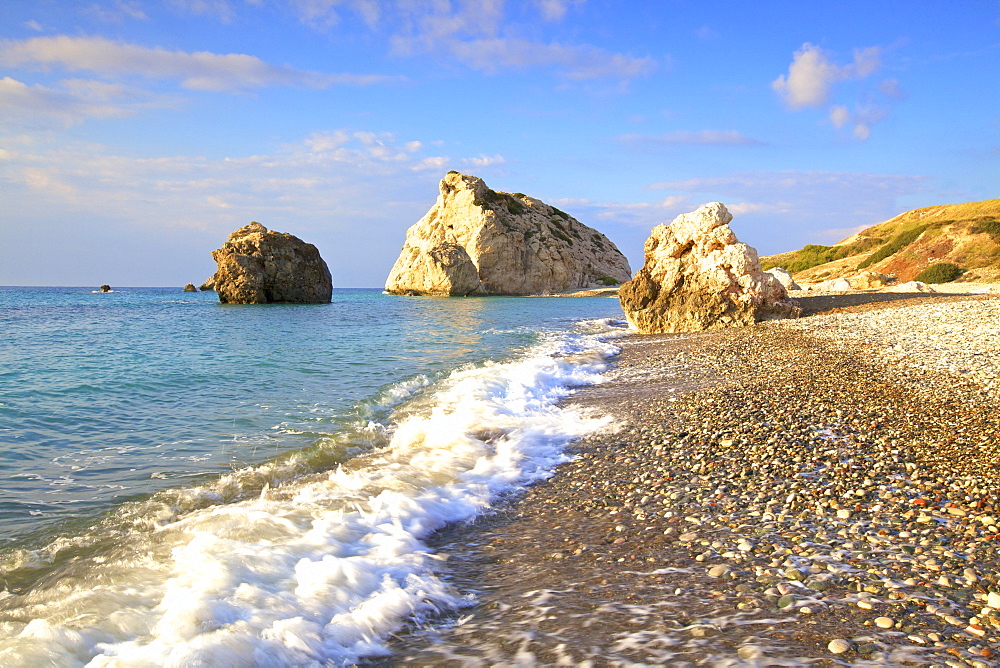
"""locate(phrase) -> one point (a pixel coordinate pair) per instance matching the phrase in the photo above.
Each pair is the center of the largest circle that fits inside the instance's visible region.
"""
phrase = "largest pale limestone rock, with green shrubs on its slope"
(475, 241)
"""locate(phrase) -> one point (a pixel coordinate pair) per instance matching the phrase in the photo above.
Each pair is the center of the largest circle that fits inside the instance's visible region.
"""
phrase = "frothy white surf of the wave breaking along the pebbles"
(318, 569)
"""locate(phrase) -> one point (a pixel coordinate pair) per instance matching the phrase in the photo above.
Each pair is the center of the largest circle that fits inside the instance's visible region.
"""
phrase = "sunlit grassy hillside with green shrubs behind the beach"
(966, 235)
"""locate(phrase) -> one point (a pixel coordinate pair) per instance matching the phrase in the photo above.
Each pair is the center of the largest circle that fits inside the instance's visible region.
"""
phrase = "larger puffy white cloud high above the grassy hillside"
(812, 75)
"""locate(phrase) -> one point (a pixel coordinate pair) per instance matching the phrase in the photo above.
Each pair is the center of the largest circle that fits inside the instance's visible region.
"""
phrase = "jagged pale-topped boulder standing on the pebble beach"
(698, 276)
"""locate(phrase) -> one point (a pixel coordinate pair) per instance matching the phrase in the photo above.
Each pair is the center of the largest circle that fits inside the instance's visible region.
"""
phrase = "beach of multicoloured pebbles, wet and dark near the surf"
(821, 491)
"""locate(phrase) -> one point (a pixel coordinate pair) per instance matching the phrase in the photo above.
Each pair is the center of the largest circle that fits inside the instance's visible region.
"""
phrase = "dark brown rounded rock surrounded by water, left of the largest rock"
(260, 266)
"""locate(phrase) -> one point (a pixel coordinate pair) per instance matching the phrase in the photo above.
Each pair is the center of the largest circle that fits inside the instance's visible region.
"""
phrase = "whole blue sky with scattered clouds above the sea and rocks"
(136, 135)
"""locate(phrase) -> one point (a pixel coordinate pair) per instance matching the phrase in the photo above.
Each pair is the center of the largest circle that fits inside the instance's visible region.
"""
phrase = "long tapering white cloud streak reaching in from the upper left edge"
(199, 71)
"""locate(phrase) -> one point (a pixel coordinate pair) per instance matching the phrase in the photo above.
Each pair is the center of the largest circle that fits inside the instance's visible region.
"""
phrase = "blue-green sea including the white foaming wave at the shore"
(189, 483)
